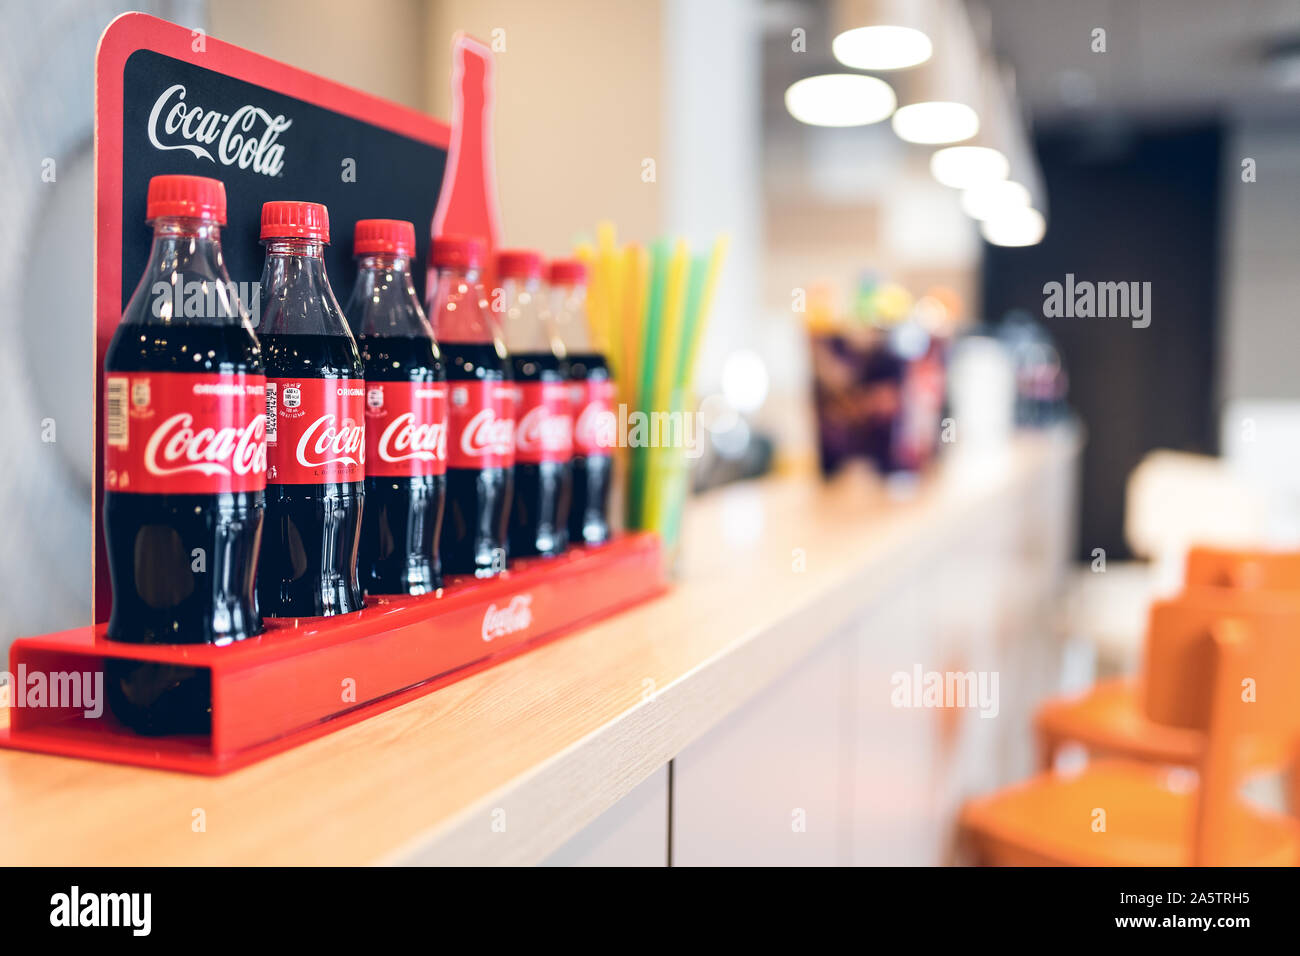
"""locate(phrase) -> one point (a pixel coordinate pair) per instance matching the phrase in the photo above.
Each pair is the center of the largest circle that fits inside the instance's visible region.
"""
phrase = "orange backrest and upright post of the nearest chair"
(1227, 664)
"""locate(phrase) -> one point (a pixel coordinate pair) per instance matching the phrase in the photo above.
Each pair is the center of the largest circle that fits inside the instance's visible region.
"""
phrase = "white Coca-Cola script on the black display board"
(244, 139)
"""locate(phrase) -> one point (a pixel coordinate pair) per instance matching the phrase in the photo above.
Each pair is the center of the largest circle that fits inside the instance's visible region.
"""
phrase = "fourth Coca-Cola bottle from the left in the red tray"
(480, 429)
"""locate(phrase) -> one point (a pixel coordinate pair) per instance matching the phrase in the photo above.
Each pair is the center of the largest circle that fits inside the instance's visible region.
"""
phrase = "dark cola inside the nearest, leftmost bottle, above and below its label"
(161, 594)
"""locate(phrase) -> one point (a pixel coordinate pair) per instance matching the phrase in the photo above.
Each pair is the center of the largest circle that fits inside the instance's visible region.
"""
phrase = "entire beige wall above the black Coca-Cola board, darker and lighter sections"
(578, 92)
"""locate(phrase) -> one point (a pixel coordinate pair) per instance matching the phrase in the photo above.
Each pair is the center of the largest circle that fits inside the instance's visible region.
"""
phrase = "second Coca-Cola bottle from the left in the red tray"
(315, 425)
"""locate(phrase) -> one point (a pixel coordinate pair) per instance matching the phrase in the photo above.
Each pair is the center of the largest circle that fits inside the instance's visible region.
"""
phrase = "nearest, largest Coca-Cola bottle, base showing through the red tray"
(185, 461)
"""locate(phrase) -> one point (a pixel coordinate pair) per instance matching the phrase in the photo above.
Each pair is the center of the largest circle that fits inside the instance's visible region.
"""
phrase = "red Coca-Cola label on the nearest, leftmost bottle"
(185, 432)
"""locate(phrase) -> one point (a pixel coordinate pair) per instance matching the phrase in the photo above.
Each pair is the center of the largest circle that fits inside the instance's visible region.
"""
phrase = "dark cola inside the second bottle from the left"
(310, 542)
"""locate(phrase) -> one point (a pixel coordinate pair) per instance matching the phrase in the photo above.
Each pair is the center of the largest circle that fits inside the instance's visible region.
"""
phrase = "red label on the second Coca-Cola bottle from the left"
(315, 431)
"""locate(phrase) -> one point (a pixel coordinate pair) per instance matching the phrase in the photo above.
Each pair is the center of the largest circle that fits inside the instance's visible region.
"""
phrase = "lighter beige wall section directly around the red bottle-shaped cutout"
(578, 110)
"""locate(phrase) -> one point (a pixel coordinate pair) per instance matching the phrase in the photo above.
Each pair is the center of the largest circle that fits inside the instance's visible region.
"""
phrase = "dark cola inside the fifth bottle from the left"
(539, 511)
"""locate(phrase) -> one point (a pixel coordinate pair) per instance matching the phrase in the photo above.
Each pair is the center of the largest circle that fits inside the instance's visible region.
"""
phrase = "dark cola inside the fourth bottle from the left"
(474, 525)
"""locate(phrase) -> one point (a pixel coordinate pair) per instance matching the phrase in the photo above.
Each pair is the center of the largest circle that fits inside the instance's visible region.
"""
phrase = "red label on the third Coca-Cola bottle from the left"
(406, 429)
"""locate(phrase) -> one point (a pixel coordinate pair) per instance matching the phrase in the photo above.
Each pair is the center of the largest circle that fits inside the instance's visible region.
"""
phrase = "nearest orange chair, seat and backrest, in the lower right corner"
(1220, 668)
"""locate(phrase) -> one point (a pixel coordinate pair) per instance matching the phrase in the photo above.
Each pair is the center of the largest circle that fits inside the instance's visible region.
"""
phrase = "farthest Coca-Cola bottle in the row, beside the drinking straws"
(591, 403)
